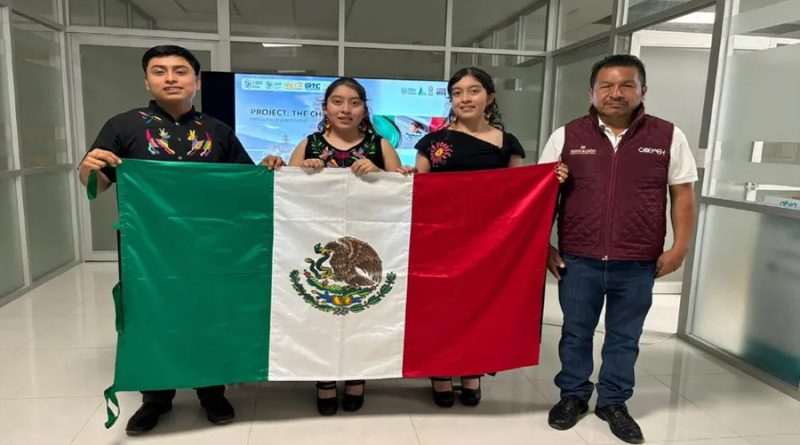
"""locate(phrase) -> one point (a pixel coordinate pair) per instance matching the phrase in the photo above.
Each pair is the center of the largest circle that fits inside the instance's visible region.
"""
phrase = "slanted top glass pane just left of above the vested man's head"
(580, 19)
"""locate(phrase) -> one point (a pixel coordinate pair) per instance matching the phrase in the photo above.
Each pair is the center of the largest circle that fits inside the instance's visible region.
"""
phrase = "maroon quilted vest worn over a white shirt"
(613, 205)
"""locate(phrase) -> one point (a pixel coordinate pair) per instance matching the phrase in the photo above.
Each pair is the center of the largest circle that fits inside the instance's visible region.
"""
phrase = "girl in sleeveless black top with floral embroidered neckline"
(344, 139)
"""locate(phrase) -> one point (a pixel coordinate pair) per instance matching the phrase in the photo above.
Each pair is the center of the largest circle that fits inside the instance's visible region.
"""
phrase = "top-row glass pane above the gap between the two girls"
(419, 22)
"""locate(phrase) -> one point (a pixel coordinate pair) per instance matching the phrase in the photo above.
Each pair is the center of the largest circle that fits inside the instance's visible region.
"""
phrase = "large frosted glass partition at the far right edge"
(744, 298)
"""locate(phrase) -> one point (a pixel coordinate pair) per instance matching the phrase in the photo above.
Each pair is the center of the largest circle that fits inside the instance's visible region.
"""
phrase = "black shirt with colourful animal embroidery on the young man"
(151, 133)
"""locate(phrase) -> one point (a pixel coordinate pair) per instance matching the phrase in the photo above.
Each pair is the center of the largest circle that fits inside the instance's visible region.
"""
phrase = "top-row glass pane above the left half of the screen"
(305, 19)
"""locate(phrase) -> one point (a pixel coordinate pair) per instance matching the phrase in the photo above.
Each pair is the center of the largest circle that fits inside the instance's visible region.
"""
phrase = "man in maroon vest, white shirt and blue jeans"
(611, 229)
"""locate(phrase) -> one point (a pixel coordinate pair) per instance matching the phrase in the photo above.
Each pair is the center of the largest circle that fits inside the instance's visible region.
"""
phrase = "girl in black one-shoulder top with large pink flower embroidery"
(475, 139)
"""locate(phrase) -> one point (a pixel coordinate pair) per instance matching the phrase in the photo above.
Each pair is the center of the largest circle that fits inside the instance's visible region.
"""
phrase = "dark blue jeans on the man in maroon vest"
(627, 287)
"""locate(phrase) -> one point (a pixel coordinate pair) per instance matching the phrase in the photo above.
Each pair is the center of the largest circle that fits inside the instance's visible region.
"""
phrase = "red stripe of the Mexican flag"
(476, 270)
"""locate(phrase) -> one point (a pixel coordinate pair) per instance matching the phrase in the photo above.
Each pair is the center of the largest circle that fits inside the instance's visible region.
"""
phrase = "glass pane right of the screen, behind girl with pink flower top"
(518, 81)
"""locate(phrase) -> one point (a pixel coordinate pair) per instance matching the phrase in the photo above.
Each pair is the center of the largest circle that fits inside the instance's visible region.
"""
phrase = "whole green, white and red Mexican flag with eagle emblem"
(234, 273)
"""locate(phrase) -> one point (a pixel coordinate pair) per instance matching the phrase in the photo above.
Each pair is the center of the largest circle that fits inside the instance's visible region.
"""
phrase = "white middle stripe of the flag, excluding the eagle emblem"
(305, 342)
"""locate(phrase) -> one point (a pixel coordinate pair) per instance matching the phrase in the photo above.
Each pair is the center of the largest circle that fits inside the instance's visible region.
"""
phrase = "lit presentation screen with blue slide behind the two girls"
(271, 114)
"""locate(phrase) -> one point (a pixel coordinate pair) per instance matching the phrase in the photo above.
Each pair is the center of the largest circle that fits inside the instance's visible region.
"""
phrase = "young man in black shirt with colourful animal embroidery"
(168, 129)
